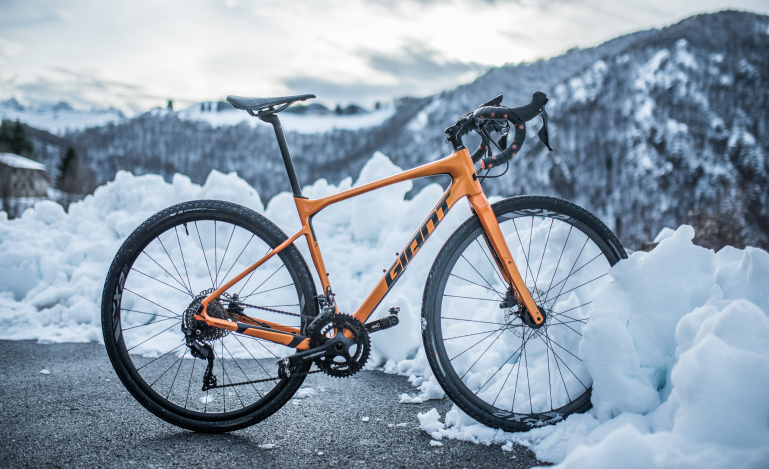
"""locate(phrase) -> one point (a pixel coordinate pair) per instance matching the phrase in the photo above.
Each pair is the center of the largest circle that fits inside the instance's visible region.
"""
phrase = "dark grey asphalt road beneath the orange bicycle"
(80, 415)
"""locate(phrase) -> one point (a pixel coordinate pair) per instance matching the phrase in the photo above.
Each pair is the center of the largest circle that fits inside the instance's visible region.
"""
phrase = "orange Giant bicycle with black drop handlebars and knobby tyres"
(502, 345)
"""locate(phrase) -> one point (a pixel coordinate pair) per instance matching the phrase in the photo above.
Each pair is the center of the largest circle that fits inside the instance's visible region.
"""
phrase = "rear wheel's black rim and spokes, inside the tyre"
(172, 268)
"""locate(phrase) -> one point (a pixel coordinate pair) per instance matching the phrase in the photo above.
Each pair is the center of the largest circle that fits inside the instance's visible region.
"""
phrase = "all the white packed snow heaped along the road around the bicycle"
(677, 343)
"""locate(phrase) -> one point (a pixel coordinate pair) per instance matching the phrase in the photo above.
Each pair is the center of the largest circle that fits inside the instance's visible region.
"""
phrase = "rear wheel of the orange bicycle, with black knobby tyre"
(162, 271)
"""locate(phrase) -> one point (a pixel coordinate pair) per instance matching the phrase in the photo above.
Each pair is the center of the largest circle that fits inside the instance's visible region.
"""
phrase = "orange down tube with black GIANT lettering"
(406, 255)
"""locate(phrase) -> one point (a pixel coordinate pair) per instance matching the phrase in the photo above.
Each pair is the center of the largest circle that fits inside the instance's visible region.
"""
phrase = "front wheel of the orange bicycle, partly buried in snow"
(496, 366)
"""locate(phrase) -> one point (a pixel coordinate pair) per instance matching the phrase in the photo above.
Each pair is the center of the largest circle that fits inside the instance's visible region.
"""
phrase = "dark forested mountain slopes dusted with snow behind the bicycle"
(652, 129)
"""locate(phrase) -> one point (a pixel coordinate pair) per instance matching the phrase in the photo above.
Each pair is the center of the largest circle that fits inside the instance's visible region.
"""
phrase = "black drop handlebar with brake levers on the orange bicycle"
(492, 111)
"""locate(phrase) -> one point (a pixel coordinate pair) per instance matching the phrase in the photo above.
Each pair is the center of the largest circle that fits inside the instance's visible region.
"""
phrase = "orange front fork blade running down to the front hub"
(504, 259)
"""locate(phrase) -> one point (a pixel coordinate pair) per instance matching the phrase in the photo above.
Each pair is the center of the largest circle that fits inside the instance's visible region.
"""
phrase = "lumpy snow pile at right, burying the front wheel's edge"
(678, 349)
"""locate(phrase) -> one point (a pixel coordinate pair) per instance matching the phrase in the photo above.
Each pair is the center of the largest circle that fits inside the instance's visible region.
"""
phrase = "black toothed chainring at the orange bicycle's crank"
(350, 360)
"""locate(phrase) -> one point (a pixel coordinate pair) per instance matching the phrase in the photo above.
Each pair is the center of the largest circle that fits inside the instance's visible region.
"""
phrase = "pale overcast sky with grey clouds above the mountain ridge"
(136, 54)
